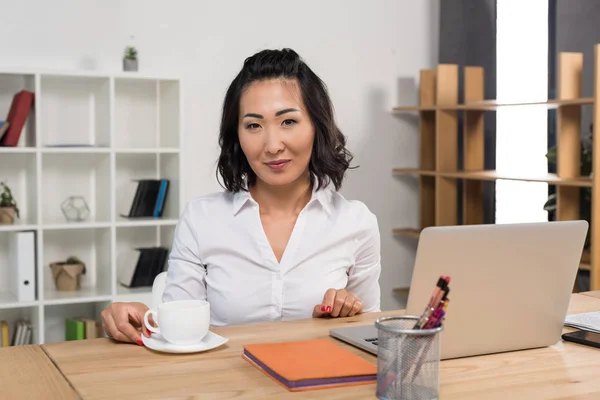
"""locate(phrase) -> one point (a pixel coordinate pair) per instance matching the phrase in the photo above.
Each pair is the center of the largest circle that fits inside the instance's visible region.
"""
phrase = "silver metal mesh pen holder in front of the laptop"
(408, 360)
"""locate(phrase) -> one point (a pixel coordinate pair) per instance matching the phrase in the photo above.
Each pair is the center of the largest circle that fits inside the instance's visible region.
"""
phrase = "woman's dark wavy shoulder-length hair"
(329, 159)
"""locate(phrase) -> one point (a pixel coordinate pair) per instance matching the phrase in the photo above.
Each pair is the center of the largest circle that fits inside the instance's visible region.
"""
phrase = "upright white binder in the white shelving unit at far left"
(22, 265)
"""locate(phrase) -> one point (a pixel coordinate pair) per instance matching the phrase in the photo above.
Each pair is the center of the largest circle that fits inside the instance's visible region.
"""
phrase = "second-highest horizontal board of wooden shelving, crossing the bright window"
(549, 178)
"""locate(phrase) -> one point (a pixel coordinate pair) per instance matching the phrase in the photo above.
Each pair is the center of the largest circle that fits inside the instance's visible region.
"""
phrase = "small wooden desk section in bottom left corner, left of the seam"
(26, 372)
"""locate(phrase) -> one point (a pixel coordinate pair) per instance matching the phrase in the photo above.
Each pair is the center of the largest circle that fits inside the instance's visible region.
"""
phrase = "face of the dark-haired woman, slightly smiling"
(275, 131)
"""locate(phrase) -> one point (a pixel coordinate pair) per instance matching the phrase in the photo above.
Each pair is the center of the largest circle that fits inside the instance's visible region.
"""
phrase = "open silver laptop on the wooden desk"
(510, 285)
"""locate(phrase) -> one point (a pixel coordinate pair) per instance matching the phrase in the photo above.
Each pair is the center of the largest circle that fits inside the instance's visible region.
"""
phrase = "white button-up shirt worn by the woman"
(221, 254)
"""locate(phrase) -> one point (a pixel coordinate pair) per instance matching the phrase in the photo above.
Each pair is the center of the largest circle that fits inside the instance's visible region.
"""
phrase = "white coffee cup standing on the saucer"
(181, 322)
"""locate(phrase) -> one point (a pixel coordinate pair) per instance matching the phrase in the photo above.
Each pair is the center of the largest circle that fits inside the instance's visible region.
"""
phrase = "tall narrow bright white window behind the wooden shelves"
(521, 132)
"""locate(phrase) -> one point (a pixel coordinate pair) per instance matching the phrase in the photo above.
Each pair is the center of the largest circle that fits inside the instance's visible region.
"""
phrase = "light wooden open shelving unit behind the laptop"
(438, 171)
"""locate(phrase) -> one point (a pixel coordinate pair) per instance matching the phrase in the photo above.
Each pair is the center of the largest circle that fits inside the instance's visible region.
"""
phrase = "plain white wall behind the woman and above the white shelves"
(364, 50)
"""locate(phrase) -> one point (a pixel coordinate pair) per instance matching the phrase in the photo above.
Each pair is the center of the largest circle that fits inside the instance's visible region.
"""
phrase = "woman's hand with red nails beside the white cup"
(125, 322)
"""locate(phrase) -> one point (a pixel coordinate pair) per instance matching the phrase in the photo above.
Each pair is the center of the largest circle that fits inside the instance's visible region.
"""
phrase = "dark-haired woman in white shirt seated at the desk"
(279, 242)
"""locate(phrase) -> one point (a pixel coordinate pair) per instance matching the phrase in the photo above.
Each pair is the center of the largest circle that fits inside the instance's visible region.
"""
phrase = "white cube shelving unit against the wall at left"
(120, 127)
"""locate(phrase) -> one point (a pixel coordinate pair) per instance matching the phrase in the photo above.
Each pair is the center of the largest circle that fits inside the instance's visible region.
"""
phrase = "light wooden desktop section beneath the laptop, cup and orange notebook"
(101, 369)
